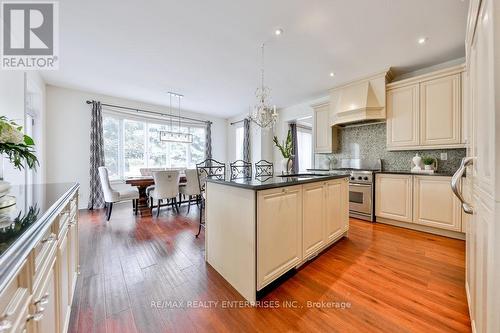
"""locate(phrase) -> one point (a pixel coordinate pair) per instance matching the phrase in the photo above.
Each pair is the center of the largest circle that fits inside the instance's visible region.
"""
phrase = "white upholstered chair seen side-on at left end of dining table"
(116, 194)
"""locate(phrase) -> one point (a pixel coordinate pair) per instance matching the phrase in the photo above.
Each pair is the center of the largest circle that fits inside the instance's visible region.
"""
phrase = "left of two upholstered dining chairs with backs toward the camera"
(166, 188)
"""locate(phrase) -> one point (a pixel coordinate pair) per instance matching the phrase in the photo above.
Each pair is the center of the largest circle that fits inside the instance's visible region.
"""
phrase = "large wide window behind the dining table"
(132, 143)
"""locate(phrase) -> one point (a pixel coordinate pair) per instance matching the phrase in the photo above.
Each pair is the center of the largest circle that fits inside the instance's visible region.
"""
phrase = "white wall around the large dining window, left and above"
(68, 134)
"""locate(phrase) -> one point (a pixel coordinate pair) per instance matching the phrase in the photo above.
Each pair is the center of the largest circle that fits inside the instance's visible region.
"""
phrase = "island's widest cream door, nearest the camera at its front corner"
(279, 231)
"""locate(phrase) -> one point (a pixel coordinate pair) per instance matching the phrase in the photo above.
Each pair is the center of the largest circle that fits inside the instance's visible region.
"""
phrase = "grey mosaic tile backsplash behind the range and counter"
(369, 143)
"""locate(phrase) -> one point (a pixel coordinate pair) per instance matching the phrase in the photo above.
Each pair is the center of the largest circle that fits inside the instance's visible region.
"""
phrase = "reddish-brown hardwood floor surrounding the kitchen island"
(382, 278)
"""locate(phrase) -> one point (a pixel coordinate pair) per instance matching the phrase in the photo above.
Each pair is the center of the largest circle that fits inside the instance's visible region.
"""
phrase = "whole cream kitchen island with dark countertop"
(259, 229)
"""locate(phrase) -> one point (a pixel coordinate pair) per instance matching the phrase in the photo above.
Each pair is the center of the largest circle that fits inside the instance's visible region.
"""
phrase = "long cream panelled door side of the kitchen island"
(295, 223)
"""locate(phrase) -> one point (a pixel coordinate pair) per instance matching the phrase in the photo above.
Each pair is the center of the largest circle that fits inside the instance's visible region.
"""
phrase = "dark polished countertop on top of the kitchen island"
(263, 183)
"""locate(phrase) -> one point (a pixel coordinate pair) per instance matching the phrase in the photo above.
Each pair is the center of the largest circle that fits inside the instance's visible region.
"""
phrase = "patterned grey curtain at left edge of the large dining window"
(96, 195)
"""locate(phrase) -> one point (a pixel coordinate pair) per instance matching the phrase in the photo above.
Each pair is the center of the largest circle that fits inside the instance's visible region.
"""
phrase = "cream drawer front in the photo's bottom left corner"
(13, 303)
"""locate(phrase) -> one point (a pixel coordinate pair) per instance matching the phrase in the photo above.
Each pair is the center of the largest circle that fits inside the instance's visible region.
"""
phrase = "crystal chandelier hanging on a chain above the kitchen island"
(263, 114)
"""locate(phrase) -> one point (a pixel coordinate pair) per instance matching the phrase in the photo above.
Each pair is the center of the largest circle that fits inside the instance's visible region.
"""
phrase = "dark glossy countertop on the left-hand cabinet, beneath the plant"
(22, 224)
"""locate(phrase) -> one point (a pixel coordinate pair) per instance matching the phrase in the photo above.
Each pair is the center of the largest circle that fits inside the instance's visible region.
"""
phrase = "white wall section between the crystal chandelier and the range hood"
(288, 114)
